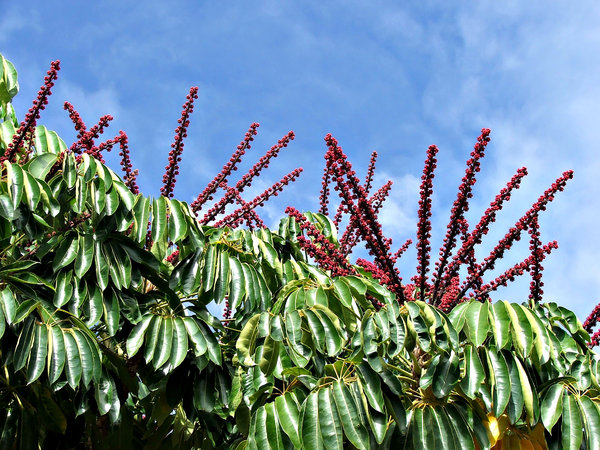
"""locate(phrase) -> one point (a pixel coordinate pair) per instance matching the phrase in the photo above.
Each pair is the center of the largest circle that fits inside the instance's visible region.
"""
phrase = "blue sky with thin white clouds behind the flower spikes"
(388, 76)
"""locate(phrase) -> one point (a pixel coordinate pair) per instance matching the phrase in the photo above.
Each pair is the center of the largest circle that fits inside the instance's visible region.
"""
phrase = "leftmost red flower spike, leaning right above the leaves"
(26, 130)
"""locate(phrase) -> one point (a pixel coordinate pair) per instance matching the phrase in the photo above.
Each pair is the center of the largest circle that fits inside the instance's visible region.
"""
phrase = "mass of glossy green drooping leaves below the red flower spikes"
(106, 340)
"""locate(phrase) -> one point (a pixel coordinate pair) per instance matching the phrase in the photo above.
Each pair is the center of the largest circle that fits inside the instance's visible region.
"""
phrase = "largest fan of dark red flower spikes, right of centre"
(445, 289)
